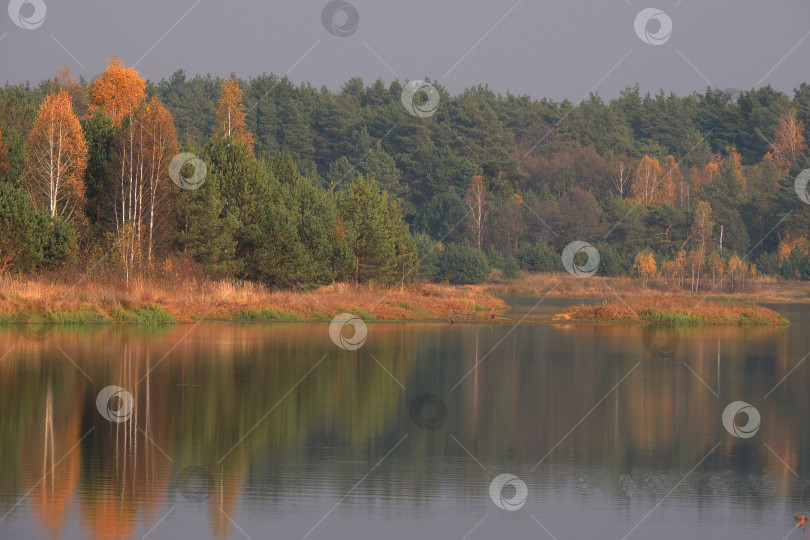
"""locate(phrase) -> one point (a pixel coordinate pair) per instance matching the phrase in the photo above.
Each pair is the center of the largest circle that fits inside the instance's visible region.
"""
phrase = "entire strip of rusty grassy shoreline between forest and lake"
(26, 301)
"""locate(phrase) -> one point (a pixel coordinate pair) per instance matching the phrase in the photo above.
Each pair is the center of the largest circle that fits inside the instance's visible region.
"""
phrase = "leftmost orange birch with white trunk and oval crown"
(56, 158)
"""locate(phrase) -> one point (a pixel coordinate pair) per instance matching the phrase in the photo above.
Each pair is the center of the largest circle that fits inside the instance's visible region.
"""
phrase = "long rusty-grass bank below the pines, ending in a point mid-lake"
(38, 300)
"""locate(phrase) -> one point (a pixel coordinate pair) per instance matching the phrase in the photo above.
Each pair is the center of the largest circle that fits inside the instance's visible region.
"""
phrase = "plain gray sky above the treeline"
(559, 48)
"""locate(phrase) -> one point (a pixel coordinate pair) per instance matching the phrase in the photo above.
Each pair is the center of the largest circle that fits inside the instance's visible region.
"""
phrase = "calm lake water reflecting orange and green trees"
(468, 431)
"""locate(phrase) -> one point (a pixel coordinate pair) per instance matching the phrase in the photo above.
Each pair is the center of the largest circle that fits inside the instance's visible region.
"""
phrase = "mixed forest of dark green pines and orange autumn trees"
(294, 186)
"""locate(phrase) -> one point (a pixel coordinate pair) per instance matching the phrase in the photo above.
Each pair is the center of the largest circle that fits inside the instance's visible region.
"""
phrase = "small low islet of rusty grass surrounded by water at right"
(674, 311)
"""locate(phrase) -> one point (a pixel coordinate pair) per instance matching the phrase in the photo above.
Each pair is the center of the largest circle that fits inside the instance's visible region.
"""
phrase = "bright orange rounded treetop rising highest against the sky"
(118, 91)
